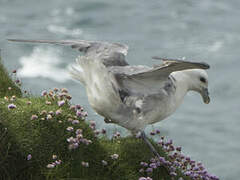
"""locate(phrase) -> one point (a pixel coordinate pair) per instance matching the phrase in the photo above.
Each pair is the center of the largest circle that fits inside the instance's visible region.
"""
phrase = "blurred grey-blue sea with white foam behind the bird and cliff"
(205, 30)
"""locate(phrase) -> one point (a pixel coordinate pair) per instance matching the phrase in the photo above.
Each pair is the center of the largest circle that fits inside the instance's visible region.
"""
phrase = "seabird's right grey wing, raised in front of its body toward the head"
(152, 80)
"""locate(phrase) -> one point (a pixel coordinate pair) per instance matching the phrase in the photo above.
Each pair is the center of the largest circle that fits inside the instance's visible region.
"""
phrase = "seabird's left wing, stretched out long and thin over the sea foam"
(111, 54)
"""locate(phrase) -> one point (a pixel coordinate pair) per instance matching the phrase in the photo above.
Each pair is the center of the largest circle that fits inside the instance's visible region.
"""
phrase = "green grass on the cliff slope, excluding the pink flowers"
(20, 136)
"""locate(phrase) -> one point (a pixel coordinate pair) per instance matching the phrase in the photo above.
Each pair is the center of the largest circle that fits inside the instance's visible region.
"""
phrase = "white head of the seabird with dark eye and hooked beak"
(198, 81)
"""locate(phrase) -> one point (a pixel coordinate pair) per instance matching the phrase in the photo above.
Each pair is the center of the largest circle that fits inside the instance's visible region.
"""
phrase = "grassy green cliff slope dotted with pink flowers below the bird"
(47, 137)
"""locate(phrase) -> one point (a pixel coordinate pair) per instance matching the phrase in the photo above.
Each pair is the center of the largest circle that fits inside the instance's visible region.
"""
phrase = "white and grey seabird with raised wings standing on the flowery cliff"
(132, 96)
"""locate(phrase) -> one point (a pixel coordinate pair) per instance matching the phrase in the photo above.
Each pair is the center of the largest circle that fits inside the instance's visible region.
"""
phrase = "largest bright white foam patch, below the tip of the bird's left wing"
(44, 63)
